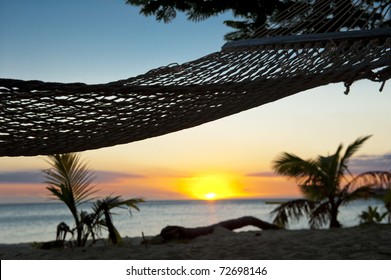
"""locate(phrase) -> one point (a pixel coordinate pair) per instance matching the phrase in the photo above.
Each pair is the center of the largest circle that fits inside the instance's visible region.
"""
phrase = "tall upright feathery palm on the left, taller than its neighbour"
(70, 181)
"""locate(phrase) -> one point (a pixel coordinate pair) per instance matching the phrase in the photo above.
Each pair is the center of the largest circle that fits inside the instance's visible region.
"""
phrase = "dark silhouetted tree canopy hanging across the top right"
(257, 15)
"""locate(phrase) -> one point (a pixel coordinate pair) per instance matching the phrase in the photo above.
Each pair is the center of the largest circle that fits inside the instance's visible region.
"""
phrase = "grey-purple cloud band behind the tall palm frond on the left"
(37, 177)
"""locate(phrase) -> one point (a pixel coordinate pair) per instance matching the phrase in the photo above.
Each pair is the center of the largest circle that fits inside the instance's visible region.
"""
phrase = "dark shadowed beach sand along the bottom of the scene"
(363, 242)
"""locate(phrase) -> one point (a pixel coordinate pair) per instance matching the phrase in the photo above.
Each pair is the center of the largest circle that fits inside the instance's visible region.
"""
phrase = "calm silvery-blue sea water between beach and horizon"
(37, 222)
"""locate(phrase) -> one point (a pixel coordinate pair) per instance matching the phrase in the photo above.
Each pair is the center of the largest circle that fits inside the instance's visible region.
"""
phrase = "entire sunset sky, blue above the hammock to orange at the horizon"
(98, 41)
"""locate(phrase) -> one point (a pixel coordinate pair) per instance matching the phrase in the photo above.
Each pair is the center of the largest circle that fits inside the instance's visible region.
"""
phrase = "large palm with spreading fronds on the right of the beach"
(326, 184)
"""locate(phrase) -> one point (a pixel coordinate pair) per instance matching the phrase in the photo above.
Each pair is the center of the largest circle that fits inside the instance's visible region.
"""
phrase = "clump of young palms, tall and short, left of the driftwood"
(70, 181)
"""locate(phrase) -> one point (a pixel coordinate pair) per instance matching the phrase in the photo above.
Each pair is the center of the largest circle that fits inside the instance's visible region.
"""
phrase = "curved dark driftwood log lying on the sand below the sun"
(177, 232)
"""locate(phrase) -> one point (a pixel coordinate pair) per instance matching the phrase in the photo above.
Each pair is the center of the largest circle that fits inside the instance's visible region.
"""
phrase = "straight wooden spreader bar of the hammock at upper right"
(336, 37)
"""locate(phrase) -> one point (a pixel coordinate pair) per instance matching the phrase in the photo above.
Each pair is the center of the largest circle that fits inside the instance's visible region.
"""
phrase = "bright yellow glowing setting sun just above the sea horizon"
(211, 186)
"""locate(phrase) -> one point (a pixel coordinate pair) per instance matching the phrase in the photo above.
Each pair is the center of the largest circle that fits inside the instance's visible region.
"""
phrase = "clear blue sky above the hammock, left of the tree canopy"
(95, 41)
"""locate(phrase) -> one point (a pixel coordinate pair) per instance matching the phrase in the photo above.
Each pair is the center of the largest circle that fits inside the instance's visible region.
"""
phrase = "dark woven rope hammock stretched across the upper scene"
(40, 118)
